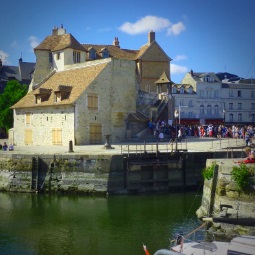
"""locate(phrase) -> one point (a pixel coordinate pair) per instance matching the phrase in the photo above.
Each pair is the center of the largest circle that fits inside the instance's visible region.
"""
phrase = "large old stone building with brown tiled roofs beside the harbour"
(83, 92)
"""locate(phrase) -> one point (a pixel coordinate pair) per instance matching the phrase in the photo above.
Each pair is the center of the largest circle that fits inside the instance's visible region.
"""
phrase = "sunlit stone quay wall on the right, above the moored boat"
(223, 199)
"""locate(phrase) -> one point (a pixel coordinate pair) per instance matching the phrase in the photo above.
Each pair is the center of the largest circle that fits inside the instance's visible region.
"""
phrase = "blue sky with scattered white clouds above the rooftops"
(203, 35)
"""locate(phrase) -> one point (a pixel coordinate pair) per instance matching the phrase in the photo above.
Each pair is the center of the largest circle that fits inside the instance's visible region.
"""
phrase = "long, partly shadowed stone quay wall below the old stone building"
(113, 174)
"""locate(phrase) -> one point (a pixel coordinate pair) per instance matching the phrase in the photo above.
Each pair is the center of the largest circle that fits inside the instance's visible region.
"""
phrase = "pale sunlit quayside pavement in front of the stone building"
(191, 144)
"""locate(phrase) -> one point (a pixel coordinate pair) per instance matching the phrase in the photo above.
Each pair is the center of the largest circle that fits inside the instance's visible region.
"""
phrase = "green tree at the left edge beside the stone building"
(13, 92)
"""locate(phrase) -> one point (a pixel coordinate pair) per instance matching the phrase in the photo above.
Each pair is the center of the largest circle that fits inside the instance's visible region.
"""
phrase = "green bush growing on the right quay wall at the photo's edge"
(242, 176)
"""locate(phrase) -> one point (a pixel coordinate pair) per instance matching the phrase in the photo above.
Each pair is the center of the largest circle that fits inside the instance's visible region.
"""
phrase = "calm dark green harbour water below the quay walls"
(51, 224)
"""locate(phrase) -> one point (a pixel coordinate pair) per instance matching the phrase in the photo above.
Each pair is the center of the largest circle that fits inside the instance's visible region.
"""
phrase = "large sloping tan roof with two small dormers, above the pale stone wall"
(79, 79)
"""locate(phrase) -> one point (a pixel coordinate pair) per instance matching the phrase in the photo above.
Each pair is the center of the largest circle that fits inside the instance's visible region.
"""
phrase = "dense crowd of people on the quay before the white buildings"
(161, 128)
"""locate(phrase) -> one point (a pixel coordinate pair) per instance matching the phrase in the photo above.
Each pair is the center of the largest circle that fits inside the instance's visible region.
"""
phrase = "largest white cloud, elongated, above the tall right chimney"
(145, 24)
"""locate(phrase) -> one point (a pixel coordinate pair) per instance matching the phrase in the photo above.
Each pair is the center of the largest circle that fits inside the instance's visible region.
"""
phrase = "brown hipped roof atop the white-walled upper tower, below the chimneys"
(59, 42)
